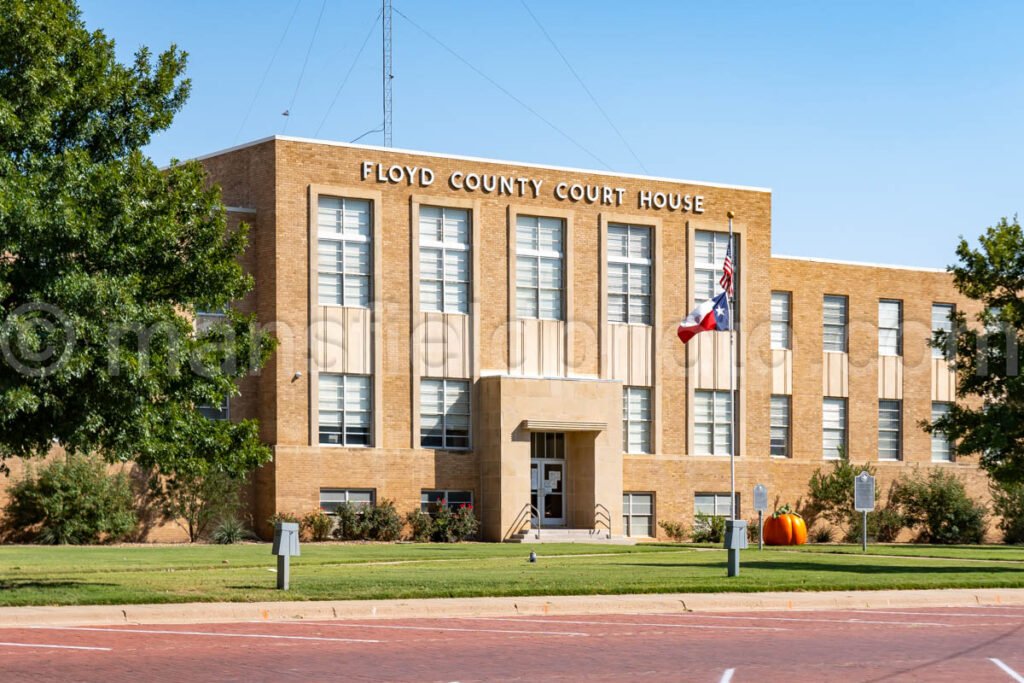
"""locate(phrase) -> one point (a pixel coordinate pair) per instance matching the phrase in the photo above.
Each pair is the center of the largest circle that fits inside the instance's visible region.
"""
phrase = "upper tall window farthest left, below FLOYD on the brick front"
(344, 252)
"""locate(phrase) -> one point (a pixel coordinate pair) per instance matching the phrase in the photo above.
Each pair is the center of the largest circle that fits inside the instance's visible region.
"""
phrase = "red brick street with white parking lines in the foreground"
(973, 645)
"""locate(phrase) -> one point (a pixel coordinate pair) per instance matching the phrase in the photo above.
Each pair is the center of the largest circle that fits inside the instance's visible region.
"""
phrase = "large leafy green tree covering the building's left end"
(106, 260)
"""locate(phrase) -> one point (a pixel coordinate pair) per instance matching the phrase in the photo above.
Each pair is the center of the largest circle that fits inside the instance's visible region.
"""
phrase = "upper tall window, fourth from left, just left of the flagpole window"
(629, 275)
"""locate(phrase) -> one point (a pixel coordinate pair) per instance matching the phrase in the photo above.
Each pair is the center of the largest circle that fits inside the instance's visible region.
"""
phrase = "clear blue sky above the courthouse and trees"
(885, 130)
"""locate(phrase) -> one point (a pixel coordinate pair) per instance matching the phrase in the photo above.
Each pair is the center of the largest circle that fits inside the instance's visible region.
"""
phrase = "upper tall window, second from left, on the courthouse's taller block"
(445, 260)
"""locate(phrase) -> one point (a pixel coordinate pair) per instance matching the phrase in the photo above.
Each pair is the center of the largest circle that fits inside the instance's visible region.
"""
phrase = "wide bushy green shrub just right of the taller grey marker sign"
(937, 505)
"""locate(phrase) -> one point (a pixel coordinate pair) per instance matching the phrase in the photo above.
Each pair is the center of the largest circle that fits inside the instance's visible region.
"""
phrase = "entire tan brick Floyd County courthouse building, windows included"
(504, 335)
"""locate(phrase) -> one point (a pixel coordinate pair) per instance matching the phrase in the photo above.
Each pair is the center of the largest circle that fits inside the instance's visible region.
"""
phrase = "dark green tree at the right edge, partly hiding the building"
(991, 422)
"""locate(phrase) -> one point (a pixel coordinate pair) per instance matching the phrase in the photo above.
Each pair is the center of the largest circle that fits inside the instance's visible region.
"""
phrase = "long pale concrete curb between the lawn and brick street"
(196, 613)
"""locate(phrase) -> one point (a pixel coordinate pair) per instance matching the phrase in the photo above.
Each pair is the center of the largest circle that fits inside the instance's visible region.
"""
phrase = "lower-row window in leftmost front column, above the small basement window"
(346, 415)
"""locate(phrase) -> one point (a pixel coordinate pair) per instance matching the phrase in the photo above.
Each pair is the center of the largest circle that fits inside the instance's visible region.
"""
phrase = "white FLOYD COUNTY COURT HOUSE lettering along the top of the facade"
(491, 184)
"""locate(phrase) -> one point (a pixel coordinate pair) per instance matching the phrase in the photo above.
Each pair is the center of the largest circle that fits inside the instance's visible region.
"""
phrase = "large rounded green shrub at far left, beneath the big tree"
(70, 501)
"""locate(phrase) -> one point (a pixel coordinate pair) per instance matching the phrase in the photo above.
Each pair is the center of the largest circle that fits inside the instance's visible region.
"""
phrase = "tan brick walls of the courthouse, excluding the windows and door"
(567, 373)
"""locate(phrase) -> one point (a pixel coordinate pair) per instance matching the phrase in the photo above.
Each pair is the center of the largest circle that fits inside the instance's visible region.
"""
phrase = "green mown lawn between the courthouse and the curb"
(49, 576)
